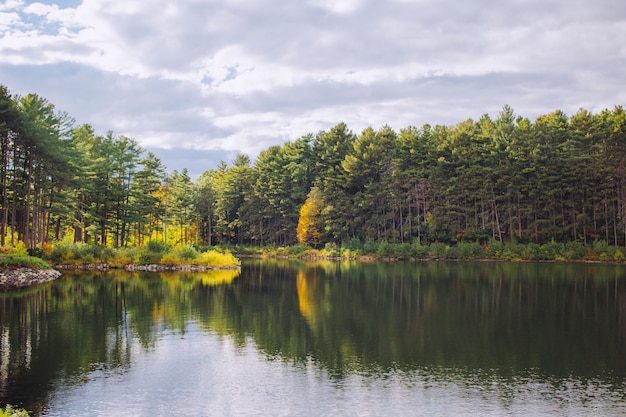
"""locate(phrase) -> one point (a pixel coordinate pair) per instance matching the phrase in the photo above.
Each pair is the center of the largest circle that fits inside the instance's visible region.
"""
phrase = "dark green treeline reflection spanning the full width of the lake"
(556, 320)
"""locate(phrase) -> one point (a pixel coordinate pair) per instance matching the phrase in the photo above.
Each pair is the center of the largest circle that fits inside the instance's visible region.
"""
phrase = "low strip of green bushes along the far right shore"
(495, 250)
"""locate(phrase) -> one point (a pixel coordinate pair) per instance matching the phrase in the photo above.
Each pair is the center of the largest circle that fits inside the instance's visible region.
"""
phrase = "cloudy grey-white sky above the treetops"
(198, 81)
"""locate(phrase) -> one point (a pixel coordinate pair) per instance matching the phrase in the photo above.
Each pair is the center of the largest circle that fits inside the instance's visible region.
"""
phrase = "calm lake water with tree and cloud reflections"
(289, 338)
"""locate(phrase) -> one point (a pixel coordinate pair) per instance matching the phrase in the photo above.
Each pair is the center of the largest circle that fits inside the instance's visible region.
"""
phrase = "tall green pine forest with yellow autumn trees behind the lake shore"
(558, 178)
